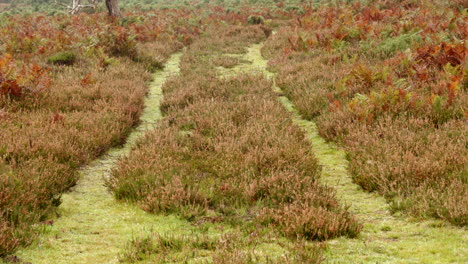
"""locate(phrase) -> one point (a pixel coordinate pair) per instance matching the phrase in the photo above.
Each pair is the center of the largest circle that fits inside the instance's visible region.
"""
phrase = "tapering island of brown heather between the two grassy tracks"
(229, 150)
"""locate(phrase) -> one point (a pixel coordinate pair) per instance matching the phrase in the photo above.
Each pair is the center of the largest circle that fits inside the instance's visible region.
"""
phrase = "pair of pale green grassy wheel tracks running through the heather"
(94, 228)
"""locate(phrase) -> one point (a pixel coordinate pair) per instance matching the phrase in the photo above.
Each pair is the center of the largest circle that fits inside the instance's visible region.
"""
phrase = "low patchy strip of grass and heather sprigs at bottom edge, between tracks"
(221, 249)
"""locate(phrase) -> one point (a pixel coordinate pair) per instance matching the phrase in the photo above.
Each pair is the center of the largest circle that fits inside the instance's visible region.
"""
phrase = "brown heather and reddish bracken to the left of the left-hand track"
(70, 88)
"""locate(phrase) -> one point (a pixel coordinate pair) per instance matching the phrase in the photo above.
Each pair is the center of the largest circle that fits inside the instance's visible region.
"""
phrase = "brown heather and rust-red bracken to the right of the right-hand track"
(401, 118)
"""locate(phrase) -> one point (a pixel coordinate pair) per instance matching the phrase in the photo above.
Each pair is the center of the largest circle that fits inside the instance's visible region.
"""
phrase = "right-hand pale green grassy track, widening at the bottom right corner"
(386, 238)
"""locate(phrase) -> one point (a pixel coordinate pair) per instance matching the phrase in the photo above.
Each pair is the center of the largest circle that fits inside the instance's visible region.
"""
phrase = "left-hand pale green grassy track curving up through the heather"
(93, 227)
